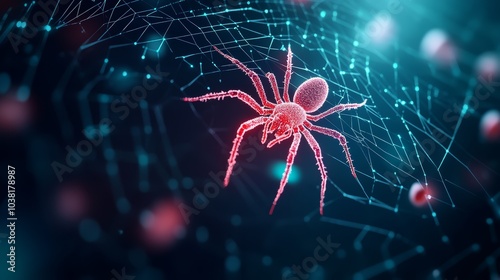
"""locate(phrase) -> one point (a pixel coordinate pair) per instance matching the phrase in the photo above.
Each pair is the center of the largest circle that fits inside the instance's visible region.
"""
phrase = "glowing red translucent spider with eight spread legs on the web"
(285, 118)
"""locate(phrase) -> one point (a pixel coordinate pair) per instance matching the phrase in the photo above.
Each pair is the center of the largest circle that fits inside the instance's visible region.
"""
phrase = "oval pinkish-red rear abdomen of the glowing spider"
(311, 94)
